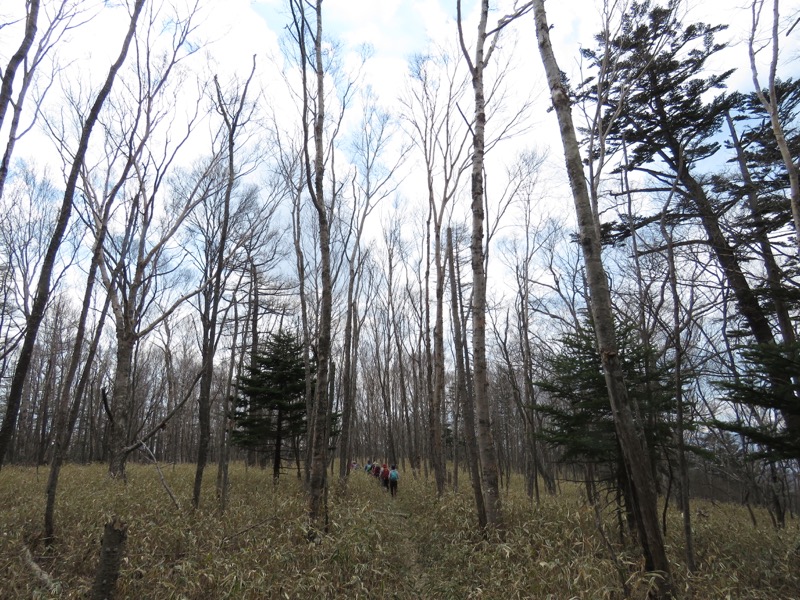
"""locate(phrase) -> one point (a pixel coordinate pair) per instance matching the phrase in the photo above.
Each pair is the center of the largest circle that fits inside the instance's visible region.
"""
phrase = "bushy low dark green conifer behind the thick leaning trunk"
(579, 418)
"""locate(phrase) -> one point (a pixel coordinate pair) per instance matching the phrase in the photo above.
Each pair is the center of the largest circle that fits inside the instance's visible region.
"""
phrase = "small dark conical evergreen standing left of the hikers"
(270, 405)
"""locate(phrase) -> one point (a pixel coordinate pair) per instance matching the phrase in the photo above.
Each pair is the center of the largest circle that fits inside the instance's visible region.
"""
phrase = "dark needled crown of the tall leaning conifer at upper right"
(660, 99)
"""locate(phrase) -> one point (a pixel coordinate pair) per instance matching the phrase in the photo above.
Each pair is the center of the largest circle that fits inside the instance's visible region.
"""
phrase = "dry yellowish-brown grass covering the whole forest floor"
(259, 547)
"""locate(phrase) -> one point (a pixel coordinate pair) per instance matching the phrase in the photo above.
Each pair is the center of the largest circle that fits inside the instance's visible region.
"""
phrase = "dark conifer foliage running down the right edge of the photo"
(756, 399)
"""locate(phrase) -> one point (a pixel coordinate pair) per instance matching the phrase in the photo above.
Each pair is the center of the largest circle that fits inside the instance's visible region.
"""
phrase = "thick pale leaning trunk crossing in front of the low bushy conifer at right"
(631, 438)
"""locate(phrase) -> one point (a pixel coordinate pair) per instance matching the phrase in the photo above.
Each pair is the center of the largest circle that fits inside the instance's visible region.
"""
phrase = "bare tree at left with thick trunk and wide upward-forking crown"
(138, 260)
